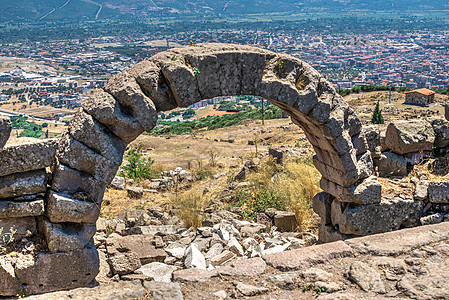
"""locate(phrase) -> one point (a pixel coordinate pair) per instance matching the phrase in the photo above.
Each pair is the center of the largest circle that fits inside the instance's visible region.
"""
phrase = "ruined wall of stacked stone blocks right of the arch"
(417, 200)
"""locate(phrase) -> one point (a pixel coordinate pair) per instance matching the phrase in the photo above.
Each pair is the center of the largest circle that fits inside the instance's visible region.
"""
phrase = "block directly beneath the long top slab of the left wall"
(20, 184)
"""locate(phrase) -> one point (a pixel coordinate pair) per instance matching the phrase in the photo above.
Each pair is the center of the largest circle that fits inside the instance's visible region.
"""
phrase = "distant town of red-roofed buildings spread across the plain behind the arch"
(61, 73)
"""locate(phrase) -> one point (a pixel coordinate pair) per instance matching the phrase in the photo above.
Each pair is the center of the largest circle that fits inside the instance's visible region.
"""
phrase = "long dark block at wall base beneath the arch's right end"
(381, 217)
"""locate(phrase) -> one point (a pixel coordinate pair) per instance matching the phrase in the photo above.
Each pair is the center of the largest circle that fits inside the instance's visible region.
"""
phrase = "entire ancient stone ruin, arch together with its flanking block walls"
(54, 189)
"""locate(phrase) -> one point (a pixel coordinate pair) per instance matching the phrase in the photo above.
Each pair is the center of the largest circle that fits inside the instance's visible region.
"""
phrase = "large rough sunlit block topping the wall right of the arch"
(410, 136)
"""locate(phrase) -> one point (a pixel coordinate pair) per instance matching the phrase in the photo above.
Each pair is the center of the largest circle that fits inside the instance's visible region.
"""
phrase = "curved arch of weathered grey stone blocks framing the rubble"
(91, 151)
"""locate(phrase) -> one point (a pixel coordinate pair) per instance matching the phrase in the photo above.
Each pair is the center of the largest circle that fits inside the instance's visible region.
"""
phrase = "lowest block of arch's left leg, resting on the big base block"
(65, 237)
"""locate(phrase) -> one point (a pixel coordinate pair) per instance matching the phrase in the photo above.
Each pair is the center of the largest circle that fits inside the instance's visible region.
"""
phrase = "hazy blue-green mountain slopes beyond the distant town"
(32, 10)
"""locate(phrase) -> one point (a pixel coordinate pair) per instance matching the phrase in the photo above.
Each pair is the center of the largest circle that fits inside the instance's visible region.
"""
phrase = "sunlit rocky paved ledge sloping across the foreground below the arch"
(406, 264)
